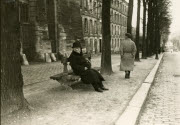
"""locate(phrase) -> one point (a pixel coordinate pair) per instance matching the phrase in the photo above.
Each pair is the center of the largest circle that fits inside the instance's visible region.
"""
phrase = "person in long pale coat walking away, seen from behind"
(127, 52)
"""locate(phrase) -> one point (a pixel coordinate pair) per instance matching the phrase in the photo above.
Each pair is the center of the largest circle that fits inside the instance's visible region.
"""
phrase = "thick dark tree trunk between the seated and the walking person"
(106, 66)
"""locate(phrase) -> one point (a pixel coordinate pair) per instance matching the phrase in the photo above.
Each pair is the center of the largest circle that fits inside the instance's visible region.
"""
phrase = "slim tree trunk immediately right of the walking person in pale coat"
(137, 30)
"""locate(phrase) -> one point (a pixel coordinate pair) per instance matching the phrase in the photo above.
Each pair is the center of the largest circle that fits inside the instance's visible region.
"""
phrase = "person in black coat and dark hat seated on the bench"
(82, 67)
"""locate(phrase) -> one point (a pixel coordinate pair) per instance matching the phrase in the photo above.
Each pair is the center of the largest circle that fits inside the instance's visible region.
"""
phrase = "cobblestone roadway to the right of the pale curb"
(163, 104)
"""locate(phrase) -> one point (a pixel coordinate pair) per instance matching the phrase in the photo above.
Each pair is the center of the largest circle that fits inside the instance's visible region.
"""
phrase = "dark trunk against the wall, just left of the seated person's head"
(53, 24)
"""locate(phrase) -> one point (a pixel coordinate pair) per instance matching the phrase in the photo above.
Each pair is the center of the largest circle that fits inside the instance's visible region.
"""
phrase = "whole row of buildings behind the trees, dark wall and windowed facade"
(75, 18)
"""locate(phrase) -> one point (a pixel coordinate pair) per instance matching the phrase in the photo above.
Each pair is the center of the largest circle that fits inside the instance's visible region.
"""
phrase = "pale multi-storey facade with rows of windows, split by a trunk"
(92, 23)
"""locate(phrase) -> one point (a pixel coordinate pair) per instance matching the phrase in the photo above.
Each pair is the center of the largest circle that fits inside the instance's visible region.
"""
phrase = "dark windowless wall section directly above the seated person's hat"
(70, 19)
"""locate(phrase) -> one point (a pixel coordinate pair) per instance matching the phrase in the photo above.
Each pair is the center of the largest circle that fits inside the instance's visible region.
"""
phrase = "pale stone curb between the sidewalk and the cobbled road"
(131, 113)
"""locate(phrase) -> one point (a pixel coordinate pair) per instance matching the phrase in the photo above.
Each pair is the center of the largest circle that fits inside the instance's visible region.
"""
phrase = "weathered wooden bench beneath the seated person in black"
(67, 77)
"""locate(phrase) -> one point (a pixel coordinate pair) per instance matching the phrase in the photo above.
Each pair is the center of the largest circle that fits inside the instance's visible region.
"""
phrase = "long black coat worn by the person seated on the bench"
(78, 64)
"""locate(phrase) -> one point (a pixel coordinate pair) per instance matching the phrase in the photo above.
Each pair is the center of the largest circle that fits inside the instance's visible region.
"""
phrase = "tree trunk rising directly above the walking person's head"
(130, 14)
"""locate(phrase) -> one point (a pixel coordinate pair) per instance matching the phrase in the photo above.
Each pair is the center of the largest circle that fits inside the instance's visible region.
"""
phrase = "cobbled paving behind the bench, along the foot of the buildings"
(37, 73)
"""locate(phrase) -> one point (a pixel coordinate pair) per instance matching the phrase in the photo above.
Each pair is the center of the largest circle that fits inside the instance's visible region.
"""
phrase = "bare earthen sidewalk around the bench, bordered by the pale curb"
(83, 106)
